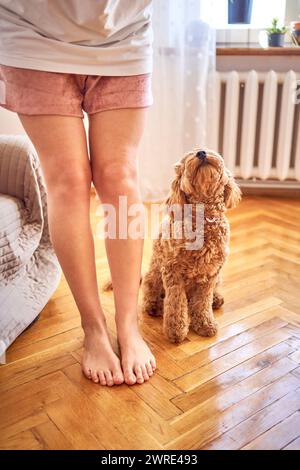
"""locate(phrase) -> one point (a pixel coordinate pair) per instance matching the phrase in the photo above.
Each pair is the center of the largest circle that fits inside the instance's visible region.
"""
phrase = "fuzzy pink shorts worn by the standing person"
(35, 92)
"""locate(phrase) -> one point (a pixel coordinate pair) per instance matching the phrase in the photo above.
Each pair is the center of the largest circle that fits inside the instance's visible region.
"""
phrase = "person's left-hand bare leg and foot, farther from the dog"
(61, 145)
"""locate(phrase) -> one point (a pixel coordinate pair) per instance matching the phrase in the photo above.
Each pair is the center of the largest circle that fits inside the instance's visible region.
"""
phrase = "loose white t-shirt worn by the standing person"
(90, 37)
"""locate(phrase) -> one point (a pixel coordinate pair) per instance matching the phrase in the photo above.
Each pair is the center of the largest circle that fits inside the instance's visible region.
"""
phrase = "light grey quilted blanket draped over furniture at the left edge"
(29, 270)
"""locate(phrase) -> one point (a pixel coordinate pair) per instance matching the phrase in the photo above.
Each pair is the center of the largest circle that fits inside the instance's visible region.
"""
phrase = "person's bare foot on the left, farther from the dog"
(99, 363)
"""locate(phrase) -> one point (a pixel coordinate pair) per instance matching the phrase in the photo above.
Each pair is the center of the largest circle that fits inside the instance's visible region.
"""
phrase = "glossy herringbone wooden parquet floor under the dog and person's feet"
(240, 390)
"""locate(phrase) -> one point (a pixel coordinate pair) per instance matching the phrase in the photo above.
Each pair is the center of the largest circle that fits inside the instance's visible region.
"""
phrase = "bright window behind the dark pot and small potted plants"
(262, 14)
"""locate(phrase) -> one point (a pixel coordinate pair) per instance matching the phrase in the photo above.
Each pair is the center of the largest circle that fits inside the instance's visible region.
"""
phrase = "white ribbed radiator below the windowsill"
(256, 125)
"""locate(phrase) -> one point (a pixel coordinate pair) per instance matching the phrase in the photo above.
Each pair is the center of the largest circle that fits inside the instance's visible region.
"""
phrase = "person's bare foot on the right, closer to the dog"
(138, 363)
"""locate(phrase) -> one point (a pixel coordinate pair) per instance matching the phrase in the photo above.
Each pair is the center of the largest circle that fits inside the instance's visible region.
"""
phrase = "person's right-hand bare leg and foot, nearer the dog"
(114, 138)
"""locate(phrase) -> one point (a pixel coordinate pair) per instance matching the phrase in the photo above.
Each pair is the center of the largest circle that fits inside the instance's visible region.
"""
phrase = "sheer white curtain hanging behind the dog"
(184, 60)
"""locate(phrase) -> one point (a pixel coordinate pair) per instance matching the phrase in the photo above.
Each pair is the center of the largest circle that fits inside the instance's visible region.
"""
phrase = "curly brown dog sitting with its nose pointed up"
(182, 284)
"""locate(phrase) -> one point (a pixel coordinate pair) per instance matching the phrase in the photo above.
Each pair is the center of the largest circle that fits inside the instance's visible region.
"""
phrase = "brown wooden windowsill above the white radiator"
(255, 50)
